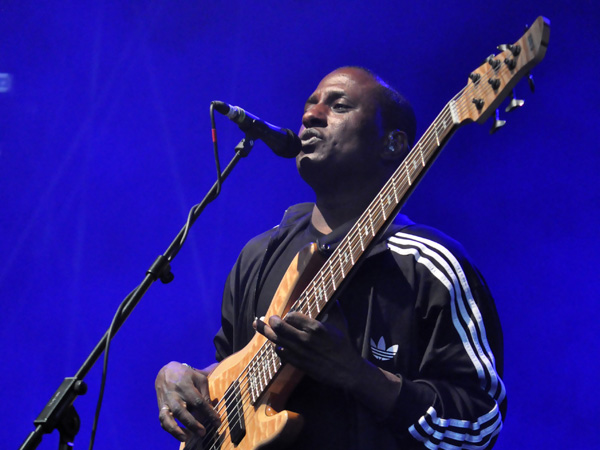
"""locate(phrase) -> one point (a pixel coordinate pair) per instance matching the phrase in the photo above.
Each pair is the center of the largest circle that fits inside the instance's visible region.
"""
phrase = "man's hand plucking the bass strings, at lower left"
(182, 394)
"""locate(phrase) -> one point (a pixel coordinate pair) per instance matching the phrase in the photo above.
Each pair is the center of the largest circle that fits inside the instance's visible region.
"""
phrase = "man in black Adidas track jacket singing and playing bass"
(410, 354)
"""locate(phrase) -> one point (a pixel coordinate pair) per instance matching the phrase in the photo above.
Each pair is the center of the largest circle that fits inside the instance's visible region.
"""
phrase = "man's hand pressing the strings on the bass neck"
(321, 350)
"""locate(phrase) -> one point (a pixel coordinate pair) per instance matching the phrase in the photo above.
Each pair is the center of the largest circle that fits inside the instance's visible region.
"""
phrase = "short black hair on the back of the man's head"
(396, 110)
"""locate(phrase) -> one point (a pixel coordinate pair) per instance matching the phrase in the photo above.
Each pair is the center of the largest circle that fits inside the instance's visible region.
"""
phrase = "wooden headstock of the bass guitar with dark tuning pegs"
(494, 80)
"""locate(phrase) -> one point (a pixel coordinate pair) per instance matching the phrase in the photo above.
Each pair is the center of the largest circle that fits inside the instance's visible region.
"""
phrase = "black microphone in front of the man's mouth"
(283, 141)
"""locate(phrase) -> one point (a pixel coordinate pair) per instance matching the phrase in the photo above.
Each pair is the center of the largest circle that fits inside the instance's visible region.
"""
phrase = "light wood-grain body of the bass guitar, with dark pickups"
(250, 388)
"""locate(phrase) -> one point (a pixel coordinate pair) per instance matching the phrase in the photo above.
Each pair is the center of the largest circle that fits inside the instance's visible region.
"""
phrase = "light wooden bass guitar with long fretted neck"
(250, 388)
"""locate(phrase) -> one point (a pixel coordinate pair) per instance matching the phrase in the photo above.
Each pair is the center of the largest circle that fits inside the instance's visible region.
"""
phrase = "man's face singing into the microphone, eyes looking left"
(341, 129)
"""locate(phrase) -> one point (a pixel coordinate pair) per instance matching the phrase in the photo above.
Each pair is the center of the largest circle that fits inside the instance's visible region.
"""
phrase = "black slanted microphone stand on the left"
(59, 413)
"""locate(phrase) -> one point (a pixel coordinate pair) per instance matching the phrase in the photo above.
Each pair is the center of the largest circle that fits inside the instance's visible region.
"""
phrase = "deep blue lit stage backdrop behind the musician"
(105, 145)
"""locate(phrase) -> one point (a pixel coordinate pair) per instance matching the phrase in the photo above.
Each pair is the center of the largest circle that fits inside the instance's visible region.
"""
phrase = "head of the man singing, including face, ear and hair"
(355, 129)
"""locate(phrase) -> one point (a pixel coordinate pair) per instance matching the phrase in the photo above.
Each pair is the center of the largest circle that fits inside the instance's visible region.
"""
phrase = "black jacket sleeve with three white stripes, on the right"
(457, 400)
